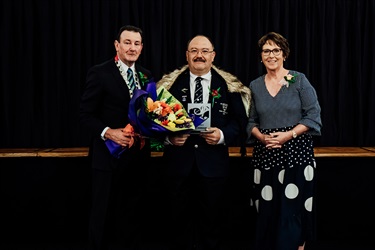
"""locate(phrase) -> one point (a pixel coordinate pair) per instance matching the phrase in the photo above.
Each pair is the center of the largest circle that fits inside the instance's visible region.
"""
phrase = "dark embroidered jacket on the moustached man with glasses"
(227, 114)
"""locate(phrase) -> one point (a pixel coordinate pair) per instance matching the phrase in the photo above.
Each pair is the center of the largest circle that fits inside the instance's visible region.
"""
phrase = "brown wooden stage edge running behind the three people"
(233, 152)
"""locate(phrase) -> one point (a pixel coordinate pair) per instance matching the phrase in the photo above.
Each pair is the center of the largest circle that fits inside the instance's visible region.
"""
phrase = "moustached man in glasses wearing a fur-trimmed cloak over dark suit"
(197, 164)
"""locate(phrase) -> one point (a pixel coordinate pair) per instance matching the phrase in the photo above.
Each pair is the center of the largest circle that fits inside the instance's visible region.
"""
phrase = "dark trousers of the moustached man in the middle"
(194, 211)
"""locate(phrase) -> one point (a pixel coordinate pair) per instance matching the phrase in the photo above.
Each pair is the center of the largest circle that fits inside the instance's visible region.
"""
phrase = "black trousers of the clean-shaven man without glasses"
(115, 218)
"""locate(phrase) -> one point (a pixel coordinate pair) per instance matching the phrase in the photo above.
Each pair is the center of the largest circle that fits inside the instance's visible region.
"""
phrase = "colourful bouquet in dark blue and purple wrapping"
(156, 113)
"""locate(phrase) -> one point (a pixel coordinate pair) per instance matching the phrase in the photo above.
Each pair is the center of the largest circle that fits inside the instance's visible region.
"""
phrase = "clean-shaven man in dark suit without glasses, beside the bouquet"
(117, 182)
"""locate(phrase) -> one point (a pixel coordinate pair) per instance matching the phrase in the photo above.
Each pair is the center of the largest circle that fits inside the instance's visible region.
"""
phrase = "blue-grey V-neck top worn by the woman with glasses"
(296, 104)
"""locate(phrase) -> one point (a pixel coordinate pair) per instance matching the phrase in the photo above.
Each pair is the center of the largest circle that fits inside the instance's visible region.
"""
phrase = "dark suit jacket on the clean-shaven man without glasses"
(105, 102)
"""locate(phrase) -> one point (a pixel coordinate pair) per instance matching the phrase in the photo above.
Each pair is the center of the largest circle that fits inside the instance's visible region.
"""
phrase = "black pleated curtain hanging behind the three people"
(47, 46)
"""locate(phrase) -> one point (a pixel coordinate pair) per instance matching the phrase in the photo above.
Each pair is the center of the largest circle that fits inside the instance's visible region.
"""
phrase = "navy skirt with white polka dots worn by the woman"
(283, 192)
